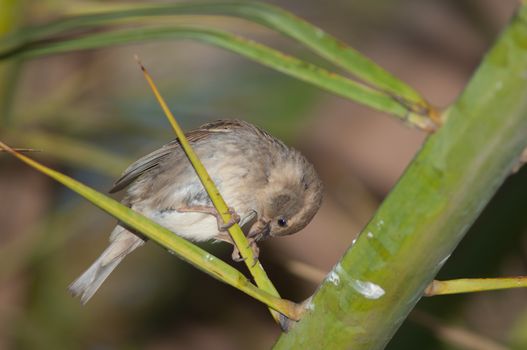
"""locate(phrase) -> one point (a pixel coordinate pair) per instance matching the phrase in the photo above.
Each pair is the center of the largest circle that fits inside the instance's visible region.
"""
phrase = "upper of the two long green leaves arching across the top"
(270, 16)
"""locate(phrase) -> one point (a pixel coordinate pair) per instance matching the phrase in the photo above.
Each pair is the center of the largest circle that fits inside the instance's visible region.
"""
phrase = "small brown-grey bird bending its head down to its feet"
(272, 190)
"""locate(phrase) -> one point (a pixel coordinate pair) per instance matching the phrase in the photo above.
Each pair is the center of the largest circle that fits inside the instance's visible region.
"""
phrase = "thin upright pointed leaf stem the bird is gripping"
(239, 240)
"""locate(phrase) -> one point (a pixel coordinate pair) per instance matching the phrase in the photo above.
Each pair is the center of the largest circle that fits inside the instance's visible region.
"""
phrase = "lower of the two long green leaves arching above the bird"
(292, 66)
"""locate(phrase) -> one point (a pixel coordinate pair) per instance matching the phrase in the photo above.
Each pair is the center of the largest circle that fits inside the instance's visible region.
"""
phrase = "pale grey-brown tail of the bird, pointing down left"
(122, 243)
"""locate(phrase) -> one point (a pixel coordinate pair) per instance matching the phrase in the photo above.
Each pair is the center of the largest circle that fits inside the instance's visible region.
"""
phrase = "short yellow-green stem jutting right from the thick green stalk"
(469, 285)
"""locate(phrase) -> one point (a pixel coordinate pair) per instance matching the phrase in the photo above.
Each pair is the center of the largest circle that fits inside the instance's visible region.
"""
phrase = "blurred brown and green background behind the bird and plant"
(98, 99)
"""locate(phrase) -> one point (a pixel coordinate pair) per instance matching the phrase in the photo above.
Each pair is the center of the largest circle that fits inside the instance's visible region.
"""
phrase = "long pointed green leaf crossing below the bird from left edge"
(166, 238)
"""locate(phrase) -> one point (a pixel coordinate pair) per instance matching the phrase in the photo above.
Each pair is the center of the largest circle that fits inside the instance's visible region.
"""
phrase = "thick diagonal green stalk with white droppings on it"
(372, 289)
